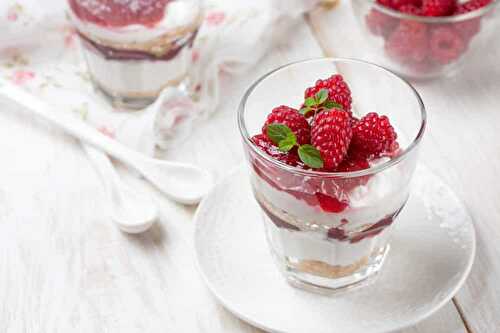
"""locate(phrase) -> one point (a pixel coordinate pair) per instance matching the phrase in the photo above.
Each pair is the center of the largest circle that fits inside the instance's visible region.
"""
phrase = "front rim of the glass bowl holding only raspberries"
(428, 19)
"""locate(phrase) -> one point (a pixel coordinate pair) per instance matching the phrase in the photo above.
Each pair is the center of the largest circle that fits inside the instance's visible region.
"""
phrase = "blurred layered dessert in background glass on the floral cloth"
(135, 48)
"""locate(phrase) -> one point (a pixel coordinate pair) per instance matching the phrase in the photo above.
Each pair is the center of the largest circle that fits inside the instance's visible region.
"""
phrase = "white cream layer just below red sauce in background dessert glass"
(178, 15)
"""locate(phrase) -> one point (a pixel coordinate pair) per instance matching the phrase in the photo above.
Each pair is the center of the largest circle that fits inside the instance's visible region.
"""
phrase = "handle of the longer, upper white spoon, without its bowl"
(69, 123)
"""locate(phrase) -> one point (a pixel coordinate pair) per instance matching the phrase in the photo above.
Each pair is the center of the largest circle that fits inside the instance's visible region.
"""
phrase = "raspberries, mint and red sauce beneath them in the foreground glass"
(323, 135)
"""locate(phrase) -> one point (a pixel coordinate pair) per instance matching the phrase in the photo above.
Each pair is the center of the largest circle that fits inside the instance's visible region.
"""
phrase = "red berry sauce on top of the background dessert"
(119, 13)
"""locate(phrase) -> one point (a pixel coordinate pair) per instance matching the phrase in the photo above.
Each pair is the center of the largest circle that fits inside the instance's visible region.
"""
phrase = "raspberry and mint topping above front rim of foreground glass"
(324, 134)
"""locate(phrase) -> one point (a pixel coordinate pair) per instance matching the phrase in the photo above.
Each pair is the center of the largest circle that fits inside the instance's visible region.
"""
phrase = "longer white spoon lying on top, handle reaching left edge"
(181, 182)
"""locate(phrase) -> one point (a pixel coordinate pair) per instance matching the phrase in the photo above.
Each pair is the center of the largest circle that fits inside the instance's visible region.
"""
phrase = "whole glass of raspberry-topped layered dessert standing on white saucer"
(331, 146)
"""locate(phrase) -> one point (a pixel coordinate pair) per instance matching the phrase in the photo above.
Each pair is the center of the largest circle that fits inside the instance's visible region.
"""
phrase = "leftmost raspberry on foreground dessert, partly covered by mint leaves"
(293, 119)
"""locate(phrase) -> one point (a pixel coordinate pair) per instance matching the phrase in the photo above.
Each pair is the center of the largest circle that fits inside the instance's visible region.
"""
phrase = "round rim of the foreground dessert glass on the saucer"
(339, 175)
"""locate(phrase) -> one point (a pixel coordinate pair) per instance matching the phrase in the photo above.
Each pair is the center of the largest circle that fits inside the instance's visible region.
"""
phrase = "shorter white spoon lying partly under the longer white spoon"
(131, 211)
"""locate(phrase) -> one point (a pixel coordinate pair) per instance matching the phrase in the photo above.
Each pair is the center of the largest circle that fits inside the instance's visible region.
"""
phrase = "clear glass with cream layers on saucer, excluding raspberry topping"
(330, 231)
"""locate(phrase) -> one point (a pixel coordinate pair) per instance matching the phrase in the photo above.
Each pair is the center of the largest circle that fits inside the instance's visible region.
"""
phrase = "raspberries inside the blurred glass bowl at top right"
(425, 47)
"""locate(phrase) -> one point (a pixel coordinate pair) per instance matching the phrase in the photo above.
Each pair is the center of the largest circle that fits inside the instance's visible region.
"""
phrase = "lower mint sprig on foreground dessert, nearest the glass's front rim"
(282, 136)
